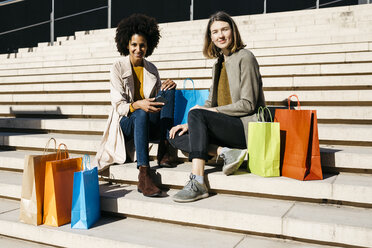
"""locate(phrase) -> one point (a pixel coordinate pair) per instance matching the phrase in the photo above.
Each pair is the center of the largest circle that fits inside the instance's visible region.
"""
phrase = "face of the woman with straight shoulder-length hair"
(221, 35)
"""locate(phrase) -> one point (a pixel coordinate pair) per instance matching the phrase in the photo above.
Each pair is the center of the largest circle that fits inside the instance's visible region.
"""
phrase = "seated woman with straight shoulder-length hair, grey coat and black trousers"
(234, 98)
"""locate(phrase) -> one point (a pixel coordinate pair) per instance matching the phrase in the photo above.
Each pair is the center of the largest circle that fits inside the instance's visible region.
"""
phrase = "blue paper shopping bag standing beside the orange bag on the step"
(85, 197)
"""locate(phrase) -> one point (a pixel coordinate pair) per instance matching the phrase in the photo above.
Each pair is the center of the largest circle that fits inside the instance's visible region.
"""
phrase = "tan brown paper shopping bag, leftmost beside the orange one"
(33, 179)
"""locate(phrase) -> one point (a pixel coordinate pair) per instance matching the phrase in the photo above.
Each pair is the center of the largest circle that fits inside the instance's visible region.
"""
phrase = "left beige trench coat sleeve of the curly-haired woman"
(119, 92)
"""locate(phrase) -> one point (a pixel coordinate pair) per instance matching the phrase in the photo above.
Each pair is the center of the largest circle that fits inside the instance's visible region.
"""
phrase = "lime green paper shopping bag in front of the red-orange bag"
(264, 146)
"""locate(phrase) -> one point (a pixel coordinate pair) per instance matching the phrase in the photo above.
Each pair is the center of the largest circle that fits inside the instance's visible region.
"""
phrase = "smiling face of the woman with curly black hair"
(137, 49)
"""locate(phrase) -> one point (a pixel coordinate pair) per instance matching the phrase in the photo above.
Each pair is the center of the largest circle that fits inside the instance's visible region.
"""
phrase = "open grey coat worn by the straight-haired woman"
(245, 87)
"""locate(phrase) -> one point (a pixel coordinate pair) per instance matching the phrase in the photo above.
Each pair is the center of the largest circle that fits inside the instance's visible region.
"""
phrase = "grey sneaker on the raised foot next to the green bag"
(232, 159)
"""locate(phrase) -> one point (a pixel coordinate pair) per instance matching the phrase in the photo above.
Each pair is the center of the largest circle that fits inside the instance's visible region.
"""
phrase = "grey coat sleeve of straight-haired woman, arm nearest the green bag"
(250, 86)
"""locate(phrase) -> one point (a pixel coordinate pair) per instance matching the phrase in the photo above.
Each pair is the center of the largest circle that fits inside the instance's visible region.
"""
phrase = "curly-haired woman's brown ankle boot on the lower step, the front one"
(146, 185)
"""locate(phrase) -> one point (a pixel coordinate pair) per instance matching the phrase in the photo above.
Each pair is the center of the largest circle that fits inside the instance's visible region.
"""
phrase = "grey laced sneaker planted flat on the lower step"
(191, 192)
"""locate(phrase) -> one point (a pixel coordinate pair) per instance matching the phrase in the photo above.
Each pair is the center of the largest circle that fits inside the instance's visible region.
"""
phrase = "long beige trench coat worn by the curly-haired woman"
(113, 149)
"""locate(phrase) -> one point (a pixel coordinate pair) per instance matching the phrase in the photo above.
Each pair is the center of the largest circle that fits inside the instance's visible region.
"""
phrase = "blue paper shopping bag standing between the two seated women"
(185, 100)
